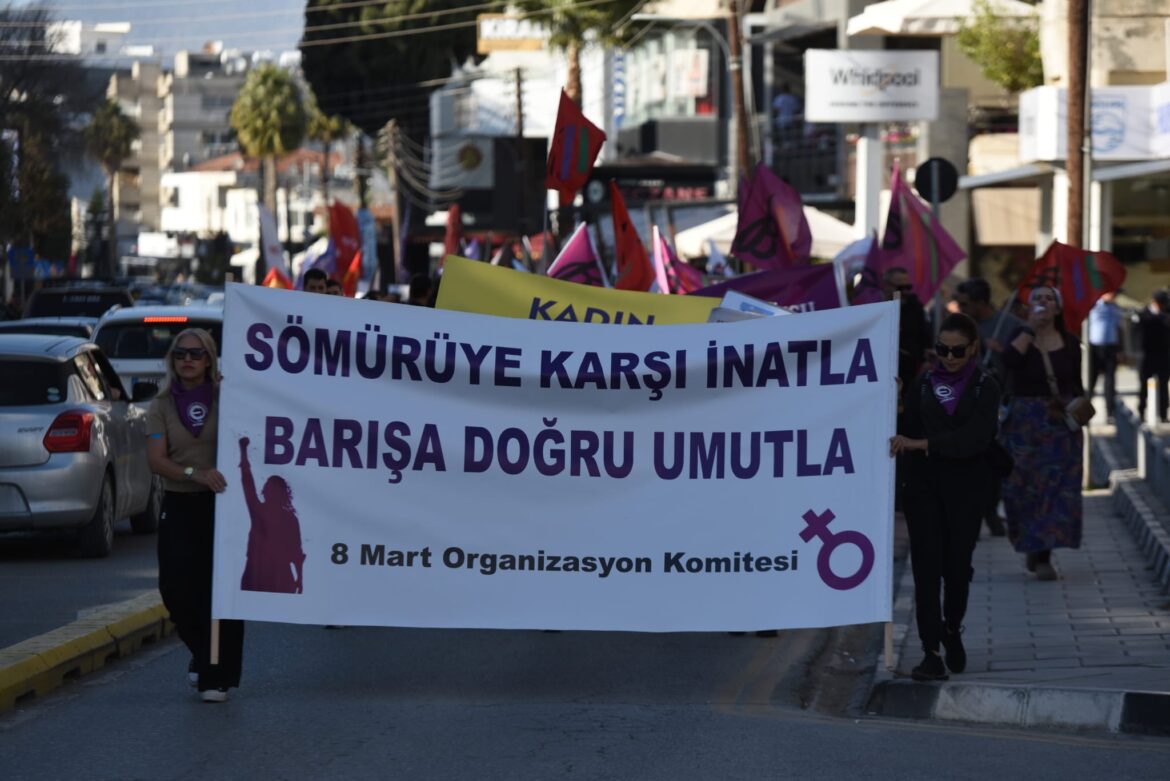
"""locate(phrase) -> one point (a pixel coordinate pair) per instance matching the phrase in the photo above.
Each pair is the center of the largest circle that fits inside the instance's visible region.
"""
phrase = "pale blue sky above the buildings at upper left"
(176, 25)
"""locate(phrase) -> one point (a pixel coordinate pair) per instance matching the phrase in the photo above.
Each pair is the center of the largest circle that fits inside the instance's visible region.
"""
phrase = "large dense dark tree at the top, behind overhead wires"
(395, 50)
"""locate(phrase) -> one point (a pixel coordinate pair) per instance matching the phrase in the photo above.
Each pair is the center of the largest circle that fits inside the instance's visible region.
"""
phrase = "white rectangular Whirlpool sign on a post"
(845, 86)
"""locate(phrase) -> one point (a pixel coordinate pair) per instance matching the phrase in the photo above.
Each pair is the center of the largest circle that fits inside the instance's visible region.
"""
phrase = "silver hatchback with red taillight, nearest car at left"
(73, 447)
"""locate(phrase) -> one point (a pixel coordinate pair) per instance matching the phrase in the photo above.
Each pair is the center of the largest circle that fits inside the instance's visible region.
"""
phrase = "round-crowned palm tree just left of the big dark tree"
(270, 120)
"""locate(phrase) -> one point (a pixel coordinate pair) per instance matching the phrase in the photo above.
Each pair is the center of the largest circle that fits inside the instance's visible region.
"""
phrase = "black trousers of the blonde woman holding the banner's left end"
(185, 538)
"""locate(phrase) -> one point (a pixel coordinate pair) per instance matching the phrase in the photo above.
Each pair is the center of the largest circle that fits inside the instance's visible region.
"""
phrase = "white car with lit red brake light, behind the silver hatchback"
(136, 340)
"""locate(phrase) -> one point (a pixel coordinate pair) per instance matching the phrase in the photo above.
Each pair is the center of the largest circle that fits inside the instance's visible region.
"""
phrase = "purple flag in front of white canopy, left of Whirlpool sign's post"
(773, 232)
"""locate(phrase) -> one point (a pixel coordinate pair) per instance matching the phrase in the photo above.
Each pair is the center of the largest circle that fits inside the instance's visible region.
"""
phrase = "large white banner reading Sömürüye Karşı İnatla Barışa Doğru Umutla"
(471, 472)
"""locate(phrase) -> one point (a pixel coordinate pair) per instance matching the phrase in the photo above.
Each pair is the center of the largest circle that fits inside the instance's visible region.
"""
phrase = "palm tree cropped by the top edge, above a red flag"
(570, 25)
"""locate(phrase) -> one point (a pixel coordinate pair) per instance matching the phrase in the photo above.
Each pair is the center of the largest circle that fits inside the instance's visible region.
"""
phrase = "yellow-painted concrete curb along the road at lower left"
(36, 667)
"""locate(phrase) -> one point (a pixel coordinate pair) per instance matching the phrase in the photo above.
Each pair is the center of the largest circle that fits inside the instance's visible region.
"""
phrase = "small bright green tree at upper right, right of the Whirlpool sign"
(1008, 49)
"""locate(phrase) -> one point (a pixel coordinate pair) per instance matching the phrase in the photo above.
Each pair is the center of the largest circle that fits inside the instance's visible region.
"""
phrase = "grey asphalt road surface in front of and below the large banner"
(429, 704)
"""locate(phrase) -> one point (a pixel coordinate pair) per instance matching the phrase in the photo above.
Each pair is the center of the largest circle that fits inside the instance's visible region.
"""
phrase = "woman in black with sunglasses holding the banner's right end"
(951, 419)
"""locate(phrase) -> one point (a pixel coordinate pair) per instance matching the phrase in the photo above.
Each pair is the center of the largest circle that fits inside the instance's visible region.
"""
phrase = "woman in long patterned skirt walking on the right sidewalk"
(1043, 495)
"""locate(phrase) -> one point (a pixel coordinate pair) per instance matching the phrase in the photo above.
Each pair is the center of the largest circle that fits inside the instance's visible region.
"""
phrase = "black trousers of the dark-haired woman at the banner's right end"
(944, 517)
